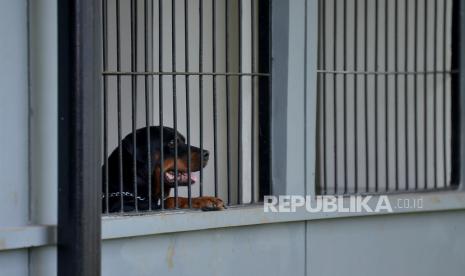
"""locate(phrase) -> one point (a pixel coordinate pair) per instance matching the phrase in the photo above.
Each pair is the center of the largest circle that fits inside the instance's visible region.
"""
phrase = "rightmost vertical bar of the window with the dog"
(252, 153)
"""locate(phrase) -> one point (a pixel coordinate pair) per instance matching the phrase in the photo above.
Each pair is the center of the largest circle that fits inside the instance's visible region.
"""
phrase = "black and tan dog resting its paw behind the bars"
(124, 189)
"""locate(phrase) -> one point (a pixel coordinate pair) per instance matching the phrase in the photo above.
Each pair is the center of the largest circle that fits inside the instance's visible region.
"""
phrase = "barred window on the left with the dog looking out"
(200, 68)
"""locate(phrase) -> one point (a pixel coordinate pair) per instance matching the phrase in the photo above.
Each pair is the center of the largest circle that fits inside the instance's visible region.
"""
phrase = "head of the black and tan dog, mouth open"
(175, 155)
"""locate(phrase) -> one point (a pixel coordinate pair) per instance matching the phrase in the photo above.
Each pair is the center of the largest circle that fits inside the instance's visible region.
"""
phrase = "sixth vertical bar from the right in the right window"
(396, 94)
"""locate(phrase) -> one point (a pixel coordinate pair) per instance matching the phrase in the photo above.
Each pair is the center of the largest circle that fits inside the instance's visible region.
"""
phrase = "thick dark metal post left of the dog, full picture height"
(79, 143)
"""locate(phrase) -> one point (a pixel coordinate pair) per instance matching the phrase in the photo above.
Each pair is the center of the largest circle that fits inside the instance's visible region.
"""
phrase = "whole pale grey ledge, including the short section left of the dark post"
(114, 227)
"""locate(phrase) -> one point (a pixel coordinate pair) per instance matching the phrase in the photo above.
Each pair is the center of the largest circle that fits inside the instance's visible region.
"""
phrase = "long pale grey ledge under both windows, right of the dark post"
(114, 227)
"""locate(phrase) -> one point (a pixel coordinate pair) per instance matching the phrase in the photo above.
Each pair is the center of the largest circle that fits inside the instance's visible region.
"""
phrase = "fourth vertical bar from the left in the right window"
(355, 95)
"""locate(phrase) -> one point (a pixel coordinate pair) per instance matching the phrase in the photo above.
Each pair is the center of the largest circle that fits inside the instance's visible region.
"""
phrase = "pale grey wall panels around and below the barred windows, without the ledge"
(403, 244)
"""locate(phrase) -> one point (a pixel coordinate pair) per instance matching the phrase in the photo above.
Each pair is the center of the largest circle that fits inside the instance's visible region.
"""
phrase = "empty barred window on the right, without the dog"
(386, 94)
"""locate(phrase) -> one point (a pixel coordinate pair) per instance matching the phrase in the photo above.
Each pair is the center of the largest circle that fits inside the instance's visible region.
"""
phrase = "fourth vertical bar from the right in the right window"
(415, 89)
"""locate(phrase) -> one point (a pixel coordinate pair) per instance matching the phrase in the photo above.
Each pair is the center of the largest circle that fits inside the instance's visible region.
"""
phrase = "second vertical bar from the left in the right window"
(334, 94)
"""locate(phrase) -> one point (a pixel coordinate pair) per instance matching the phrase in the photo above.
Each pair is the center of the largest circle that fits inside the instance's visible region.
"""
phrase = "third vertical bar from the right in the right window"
(425, 97)
